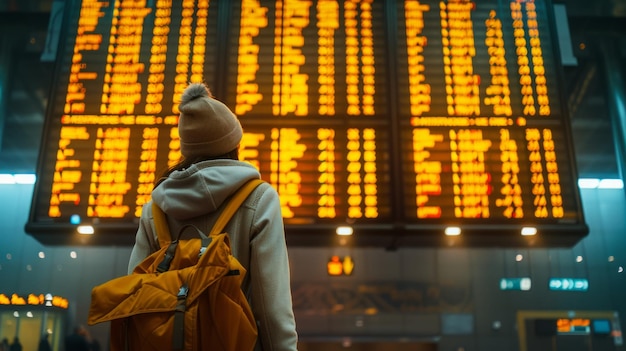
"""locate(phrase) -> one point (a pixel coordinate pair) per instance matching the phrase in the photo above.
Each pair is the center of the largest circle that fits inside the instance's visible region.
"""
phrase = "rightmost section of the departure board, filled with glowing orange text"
(484, 137)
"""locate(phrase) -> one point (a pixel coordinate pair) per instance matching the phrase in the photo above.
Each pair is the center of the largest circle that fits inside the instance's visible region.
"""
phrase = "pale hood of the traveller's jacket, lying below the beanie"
(201, 188)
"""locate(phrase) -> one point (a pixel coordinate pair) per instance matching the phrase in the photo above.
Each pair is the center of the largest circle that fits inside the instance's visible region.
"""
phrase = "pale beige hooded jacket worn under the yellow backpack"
(195, 195)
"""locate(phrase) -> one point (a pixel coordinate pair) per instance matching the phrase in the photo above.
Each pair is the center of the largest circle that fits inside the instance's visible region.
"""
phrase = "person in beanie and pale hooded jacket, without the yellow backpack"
(193, 192)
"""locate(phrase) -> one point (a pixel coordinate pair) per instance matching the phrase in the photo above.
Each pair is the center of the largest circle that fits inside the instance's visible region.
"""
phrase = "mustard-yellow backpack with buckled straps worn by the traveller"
(185, 296)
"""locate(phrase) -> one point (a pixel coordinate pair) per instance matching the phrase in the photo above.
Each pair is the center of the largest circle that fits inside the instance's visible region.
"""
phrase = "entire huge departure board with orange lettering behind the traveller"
(398, 118)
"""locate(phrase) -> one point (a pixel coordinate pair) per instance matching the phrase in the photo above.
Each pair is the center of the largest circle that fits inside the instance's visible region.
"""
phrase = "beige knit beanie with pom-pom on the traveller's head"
(206, 126)
